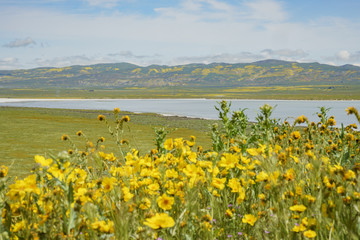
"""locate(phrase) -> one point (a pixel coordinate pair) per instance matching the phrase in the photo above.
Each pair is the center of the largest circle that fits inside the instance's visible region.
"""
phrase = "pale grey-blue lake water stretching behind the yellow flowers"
(198, 108)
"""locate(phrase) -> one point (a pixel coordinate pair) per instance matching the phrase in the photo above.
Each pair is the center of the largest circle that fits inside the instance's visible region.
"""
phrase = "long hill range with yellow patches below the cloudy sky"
(265, 73)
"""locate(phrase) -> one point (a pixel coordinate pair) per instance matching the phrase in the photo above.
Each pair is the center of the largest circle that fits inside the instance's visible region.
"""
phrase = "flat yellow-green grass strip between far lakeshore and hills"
(308, 92)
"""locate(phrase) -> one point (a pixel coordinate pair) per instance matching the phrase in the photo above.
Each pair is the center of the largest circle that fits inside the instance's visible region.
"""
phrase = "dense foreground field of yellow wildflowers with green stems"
(263, 180)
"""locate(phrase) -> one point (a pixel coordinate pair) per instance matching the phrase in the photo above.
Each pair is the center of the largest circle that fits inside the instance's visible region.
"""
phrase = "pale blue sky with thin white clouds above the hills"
(58, 33)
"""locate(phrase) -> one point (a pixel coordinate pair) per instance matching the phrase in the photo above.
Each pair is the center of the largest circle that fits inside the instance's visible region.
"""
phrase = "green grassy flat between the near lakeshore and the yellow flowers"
(30, 131)
